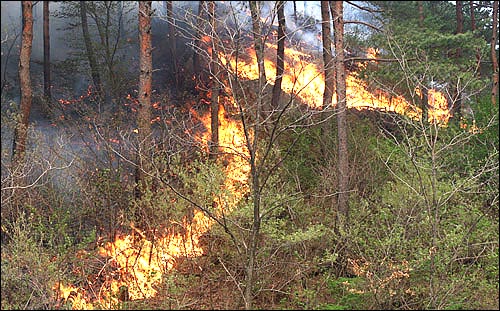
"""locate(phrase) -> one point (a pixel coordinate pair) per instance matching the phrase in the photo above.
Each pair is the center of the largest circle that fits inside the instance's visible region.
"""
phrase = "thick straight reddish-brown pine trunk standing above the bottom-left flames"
(145, 82)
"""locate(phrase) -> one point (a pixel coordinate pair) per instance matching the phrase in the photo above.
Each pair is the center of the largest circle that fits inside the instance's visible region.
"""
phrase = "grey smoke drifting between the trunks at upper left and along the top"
(70, 72)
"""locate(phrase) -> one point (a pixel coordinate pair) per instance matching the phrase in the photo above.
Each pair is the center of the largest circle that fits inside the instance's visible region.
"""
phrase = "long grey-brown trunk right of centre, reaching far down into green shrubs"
(343, 158)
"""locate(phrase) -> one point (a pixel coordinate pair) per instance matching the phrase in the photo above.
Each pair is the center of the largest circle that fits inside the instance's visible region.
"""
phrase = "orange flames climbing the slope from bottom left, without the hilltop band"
(137, 263)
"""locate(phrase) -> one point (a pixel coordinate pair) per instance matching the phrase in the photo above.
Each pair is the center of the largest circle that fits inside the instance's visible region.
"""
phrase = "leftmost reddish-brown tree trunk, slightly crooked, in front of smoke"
(21, 130)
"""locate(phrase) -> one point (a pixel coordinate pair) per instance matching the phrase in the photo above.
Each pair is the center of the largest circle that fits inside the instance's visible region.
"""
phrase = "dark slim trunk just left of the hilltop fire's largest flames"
(280, 55)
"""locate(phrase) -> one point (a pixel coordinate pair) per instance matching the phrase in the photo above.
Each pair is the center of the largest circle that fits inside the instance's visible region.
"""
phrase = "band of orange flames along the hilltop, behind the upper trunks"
(304, 78)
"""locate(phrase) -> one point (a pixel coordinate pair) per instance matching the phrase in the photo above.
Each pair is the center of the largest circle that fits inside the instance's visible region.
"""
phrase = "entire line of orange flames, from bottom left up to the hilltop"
(138, 261)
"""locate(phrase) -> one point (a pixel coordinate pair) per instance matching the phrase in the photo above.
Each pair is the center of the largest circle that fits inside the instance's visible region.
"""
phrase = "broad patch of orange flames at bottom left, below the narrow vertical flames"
(139, 264)
